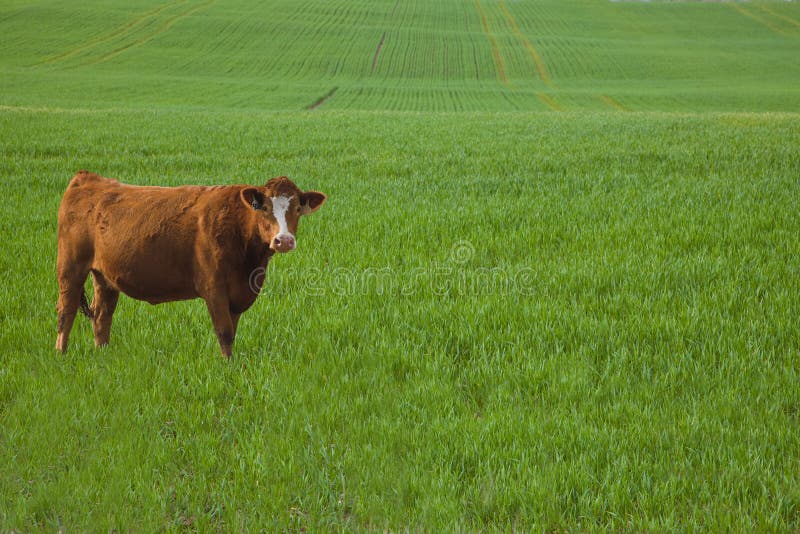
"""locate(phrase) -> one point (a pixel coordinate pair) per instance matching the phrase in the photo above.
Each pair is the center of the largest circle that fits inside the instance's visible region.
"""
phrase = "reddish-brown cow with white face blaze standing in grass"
(160, 244)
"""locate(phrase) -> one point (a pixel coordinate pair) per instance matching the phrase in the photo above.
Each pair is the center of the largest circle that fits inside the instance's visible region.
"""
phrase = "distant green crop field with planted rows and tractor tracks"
(449, 55)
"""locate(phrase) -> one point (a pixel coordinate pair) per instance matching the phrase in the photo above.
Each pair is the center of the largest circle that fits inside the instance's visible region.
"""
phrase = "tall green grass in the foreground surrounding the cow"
(640, 373)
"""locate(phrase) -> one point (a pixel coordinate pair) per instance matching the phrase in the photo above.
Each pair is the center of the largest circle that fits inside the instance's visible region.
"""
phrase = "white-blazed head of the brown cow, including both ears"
(279, 205)
